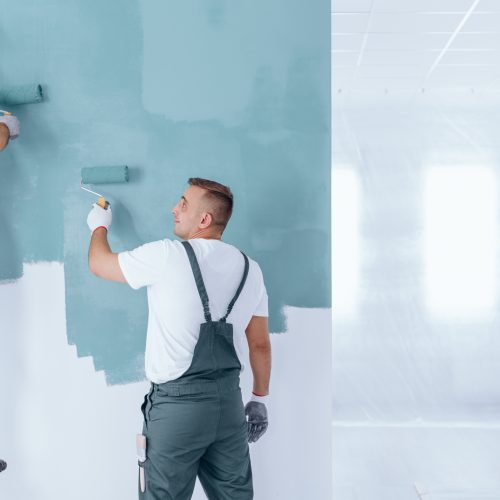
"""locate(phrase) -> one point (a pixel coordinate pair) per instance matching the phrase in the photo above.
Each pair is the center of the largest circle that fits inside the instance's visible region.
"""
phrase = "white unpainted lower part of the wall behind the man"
(65, 434)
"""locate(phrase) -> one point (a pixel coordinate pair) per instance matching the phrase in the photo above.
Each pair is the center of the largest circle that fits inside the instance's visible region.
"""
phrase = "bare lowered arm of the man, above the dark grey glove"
(259, 345)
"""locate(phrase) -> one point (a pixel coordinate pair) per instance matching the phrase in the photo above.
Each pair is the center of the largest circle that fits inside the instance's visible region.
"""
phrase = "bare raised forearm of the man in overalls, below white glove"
(102, 261)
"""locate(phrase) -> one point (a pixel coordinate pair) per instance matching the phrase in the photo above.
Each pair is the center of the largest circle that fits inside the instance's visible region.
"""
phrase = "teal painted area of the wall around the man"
(238, 92)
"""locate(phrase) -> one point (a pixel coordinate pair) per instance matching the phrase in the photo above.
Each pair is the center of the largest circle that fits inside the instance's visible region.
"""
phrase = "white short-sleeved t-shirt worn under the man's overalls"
(175, 308)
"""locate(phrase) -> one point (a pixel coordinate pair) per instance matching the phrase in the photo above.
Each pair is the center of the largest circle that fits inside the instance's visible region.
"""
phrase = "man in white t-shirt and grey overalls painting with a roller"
(194, 420)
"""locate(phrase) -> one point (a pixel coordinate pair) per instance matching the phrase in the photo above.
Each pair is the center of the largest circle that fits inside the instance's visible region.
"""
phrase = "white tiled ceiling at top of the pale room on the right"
(415, 44)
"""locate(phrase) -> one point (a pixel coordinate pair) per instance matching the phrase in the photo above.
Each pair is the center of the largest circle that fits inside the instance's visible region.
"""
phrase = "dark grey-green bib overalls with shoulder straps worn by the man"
(195, 425)
